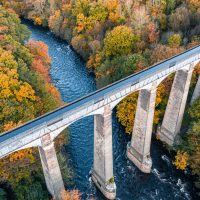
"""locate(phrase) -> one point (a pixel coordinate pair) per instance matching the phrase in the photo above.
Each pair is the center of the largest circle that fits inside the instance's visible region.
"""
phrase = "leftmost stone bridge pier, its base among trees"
(51, 168)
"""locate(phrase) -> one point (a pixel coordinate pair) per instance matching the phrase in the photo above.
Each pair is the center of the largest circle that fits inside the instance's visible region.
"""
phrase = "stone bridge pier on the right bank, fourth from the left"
(172, 120)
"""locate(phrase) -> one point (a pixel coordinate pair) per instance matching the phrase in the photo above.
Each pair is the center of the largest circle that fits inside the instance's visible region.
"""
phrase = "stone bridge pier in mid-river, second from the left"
(102, 173)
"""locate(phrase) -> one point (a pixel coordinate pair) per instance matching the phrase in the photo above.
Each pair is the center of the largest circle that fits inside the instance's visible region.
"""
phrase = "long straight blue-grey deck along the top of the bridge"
(101, 93)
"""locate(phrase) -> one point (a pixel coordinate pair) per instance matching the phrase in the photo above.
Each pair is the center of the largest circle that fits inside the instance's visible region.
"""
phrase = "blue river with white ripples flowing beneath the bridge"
(70, 76)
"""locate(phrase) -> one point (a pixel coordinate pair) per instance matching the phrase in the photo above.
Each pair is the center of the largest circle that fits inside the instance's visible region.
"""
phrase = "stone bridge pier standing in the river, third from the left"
(138, 150)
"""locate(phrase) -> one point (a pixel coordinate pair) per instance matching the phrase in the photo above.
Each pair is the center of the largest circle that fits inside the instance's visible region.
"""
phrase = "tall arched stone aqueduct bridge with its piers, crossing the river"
(42, 131)
